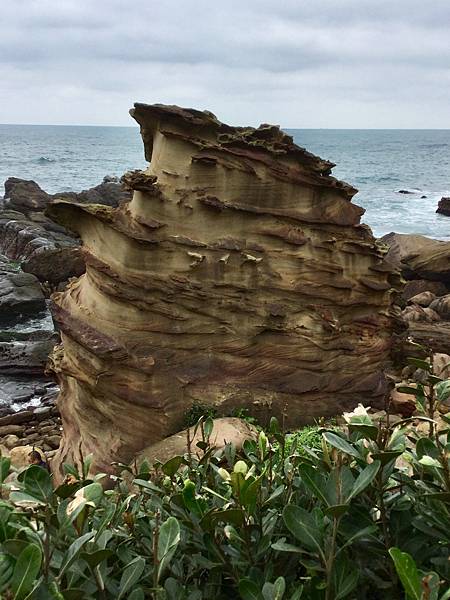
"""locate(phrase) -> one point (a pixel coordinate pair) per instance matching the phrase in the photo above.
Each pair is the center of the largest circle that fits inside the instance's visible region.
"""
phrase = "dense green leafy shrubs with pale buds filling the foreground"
(361, 512)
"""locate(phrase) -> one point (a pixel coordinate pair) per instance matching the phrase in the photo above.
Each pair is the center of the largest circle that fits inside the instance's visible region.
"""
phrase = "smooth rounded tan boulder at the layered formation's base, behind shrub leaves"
(226, 430)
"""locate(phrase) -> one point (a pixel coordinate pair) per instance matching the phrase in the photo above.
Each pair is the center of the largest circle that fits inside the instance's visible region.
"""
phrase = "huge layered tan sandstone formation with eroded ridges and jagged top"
(238, 275)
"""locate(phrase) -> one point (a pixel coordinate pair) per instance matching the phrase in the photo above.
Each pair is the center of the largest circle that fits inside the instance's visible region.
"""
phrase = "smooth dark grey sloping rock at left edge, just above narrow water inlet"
(20, 293)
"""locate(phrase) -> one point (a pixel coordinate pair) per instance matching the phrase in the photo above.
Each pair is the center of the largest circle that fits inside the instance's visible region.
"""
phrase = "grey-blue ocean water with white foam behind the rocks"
(378, 163)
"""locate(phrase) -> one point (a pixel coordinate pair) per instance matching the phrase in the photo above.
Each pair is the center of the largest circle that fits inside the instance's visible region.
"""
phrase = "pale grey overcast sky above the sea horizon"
(299, 63)
